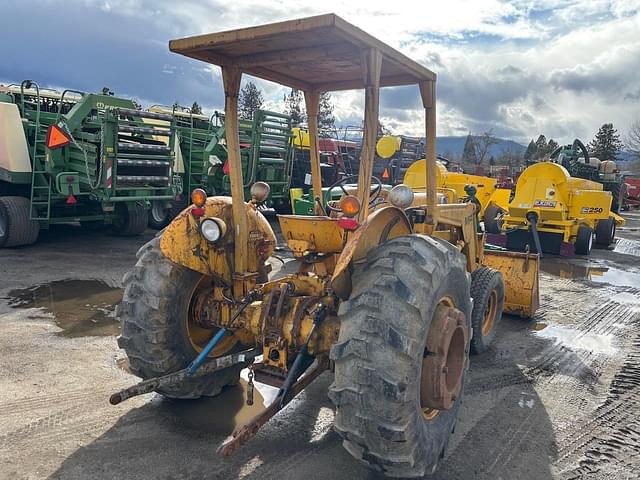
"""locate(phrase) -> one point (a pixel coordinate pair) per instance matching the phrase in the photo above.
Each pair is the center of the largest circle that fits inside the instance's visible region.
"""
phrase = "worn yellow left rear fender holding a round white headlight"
(183, 244)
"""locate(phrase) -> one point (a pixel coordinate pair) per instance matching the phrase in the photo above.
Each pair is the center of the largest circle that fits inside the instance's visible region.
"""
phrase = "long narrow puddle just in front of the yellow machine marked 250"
(613, 276)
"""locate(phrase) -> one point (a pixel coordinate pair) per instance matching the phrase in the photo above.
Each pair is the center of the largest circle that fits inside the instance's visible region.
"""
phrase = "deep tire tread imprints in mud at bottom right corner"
(612, 439)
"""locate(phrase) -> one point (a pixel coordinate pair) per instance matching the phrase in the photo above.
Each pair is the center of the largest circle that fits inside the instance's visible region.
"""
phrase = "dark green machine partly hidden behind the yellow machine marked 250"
(576, 159)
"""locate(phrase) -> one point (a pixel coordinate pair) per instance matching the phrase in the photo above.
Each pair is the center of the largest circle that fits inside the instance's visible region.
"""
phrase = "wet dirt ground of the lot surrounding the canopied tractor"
(555, 397)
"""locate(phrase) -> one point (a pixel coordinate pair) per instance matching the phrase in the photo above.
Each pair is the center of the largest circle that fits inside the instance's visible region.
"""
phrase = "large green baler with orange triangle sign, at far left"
(75, 156)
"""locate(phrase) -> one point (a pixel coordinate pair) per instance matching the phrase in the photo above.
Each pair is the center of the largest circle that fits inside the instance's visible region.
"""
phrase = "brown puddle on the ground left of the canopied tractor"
(81, 308)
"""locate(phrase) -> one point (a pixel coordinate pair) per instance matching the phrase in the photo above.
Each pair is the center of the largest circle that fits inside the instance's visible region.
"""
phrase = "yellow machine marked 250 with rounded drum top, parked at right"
(556, 213)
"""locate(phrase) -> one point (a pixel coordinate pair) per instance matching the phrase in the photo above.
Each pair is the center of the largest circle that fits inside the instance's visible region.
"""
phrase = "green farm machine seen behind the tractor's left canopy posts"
(266, 150)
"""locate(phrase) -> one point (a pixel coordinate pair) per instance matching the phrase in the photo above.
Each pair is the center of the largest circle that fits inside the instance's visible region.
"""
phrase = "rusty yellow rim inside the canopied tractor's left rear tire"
(199, 313)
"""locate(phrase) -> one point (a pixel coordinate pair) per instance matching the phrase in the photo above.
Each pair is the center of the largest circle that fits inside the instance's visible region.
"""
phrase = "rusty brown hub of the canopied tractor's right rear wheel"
(444, 361)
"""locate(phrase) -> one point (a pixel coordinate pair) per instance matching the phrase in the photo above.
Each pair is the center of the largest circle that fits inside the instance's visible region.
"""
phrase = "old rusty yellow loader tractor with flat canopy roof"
(386, 295)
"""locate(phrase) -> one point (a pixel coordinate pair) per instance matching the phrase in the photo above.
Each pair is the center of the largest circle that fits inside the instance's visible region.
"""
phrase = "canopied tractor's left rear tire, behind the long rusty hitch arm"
(154, 316)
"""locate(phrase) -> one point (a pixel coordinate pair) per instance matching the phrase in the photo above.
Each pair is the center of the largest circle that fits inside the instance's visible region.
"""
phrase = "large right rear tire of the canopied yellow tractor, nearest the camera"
(379, 377)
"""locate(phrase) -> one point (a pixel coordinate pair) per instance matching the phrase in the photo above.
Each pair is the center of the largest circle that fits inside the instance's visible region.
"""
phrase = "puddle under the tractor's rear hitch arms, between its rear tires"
(225, 412)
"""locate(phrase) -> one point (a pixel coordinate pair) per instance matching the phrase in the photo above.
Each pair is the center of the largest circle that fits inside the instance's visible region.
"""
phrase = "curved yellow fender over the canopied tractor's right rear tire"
(380, 227)
